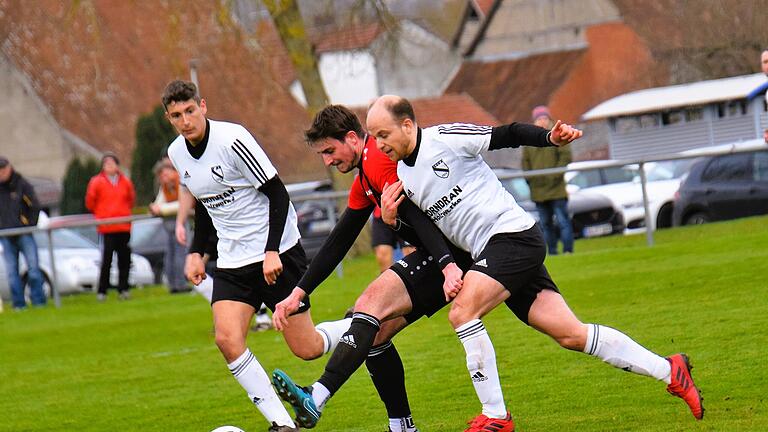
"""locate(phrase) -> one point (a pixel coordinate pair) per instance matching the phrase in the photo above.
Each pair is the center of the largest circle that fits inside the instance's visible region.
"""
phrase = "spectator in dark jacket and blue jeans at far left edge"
(19, 208)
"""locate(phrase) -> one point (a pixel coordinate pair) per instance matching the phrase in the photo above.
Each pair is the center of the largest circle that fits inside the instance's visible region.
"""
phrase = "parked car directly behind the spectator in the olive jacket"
(591, 214)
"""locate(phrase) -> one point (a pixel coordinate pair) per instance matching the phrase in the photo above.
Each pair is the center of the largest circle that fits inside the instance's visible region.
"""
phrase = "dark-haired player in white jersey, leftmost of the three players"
(260, 258)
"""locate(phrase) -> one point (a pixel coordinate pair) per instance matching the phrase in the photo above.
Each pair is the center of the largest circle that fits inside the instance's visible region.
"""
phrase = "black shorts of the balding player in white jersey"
(516, 260)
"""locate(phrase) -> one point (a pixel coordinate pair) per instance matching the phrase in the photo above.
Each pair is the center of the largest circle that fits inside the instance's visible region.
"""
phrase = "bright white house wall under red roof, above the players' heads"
(349, 77)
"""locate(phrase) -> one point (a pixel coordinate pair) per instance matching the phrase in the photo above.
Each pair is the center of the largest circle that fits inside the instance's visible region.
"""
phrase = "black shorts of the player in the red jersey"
(423, 280)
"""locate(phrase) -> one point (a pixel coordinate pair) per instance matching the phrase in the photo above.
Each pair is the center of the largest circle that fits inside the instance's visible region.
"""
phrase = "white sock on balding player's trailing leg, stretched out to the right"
(619, 350)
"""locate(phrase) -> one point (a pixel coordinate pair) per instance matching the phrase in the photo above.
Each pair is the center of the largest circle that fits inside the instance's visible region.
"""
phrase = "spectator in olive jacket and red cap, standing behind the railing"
(548, 192)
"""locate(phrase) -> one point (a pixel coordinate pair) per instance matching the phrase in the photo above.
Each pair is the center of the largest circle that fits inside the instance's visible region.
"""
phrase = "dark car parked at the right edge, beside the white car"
(723, 187)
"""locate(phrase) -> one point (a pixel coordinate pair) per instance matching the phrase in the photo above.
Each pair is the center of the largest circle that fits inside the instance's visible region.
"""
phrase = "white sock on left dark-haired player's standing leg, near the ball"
(252, 377)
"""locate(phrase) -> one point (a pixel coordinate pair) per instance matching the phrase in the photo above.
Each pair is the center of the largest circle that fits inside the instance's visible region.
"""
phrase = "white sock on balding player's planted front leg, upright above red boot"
(481, 363)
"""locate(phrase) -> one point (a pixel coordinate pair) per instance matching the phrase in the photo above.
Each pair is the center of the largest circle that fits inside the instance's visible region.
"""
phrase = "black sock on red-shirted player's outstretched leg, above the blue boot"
(351, 352)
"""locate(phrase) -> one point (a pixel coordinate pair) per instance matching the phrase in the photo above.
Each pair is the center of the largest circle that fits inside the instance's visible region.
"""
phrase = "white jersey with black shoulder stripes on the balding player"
(447, 178)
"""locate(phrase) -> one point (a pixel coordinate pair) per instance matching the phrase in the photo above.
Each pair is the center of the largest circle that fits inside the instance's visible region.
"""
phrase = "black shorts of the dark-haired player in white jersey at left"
(247, 285)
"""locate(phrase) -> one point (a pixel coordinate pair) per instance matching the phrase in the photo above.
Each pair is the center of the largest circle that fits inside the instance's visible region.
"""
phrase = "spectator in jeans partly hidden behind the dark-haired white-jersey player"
(166, 205)
